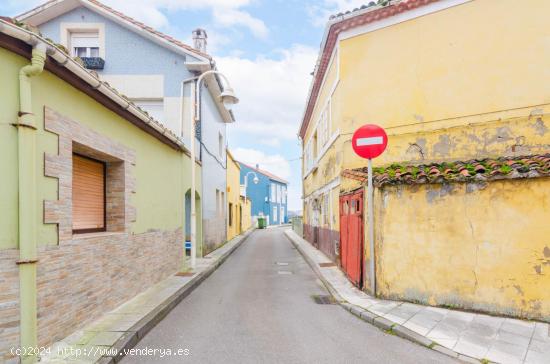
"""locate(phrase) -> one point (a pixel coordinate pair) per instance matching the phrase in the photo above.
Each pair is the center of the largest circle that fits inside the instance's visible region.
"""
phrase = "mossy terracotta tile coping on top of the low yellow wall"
(473, 170)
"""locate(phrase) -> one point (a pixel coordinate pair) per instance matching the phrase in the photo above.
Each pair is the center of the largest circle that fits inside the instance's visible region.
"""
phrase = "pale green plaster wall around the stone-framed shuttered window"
(161, 173)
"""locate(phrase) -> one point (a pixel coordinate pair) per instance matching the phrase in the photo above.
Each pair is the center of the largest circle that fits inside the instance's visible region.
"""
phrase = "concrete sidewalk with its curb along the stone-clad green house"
(105, 340)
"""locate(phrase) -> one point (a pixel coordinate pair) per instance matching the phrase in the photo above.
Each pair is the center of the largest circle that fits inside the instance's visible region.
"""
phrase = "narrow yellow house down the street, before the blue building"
(238, 208)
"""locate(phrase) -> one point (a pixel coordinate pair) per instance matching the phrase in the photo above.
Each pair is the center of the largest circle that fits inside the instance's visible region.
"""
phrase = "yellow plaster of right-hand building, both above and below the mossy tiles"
(462, 83)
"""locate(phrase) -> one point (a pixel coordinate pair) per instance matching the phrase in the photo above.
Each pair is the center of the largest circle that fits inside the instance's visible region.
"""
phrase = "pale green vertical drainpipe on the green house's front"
(26, 128)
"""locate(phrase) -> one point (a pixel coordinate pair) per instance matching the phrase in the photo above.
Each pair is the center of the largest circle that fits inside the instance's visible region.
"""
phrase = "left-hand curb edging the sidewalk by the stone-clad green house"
(142, 327)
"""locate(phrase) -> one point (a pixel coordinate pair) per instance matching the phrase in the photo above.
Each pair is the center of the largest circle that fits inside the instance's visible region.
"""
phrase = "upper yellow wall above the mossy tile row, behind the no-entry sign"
(446, 70)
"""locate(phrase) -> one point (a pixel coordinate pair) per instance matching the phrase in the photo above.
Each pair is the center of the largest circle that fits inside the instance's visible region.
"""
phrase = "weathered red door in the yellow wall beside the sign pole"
(351, 236)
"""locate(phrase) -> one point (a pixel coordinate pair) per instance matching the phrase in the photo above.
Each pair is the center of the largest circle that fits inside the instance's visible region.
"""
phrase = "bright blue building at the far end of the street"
(268, 195)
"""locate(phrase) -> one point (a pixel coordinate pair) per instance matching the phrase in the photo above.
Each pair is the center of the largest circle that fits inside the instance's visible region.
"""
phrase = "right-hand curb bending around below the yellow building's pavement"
(373, 319)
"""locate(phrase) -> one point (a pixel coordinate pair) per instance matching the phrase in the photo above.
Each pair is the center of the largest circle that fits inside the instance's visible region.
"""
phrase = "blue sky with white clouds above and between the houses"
(266, 48)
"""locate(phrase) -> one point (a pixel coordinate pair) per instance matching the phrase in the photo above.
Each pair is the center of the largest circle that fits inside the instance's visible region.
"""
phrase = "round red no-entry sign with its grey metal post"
(369, 141)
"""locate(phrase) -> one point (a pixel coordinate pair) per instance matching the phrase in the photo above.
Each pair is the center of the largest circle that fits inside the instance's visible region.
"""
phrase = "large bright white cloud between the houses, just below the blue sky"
(272, 91)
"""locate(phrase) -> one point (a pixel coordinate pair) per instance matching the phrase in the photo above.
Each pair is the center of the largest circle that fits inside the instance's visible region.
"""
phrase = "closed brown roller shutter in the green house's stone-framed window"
(88, 195)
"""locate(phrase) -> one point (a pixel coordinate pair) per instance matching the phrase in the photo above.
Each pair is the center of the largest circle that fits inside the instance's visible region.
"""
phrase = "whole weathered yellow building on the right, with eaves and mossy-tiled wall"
(462, 190)
